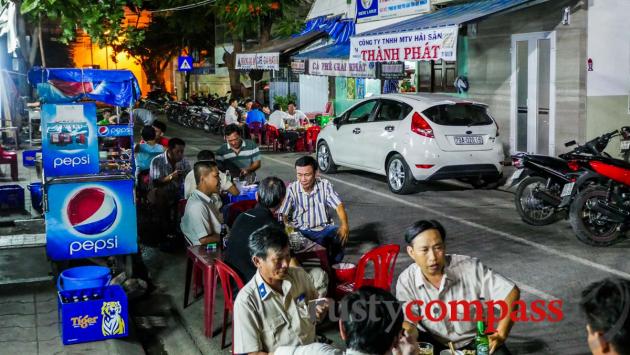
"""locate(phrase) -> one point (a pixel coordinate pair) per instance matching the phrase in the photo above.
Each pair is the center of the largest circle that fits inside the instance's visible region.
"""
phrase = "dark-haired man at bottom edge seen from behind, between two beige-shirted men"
(383, 334)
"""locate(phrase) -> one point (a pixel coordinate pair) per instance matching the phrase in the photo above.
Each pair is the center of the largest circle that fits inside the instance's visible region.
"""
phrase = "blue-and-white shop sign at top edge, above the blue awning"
(372, 10)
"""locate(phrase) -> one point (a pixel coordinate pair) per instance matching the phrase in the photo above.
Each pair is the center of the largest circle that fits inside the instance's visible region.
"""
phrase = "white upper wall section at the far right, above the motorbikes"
(609, 47)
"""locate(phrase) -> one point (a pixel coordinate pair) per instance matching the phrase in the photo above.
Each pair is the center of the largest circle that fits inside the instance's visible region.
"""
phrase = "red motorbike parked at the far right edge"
(600, 213)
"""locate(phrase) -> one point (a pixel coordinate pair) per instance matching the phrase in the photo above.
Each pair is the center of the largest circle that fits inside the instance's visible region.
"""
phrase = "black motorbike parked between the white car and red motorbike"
(541, 178)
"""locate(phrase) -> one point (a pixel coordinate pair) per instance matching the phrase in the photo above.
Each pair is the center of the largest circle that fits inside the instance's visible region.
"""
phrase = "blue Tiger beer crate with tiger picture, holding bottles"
(93, 314)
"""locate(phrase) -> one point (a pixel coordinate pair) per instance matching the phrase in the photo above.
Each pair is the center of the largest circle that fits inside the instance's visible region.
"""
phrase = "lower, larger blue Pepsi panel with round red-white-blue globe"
(90, 219)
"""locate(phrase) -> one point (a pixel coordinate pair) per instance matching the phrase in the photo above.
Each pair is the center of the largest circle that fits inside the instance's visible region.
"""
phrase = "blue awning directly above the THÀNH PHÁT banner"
(454, 15)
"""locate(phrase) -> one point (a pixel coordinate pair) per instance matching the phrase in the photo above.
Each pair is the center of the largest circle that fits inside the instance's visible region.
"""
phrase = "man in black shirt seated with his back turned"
(270, 194)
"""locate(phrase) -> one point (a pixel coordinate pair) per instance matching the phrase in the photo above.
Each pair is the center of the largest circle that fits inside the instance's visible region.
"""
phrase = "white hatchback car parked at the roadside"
(414, 137)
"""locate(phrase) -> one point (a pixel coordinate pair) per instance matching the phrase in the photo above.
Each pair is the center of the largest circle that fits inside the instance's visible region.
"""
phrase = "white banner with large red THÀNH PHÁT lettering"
(429, 44)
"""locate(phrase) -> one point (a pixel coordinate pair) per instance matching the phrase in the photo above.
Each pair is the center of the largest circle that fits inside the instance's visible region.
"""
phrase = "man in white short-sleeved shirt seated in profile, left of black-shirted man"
(201, 223)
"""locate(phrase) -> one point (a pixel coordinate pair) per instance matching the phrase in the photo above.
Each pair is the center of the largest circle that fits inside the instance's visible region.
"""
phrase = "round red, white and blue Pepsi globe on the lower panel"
(92, 211)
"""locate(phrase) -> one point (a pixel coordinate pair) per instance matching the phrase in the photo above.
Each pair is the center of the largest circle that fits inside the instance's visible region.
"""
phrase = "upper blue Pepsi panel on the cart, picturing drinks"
(69, 139)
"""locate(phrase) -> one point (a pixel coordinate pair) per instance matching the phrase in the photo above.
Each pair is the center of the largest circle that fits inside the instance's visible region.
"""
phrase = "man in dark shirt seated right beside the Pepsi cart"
(167, 173)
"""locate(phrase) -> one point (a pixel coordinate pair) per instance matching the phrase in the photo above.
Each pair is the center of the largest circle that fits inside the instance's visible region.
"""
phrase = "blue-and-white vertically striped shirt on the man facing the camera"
(310, 210)
